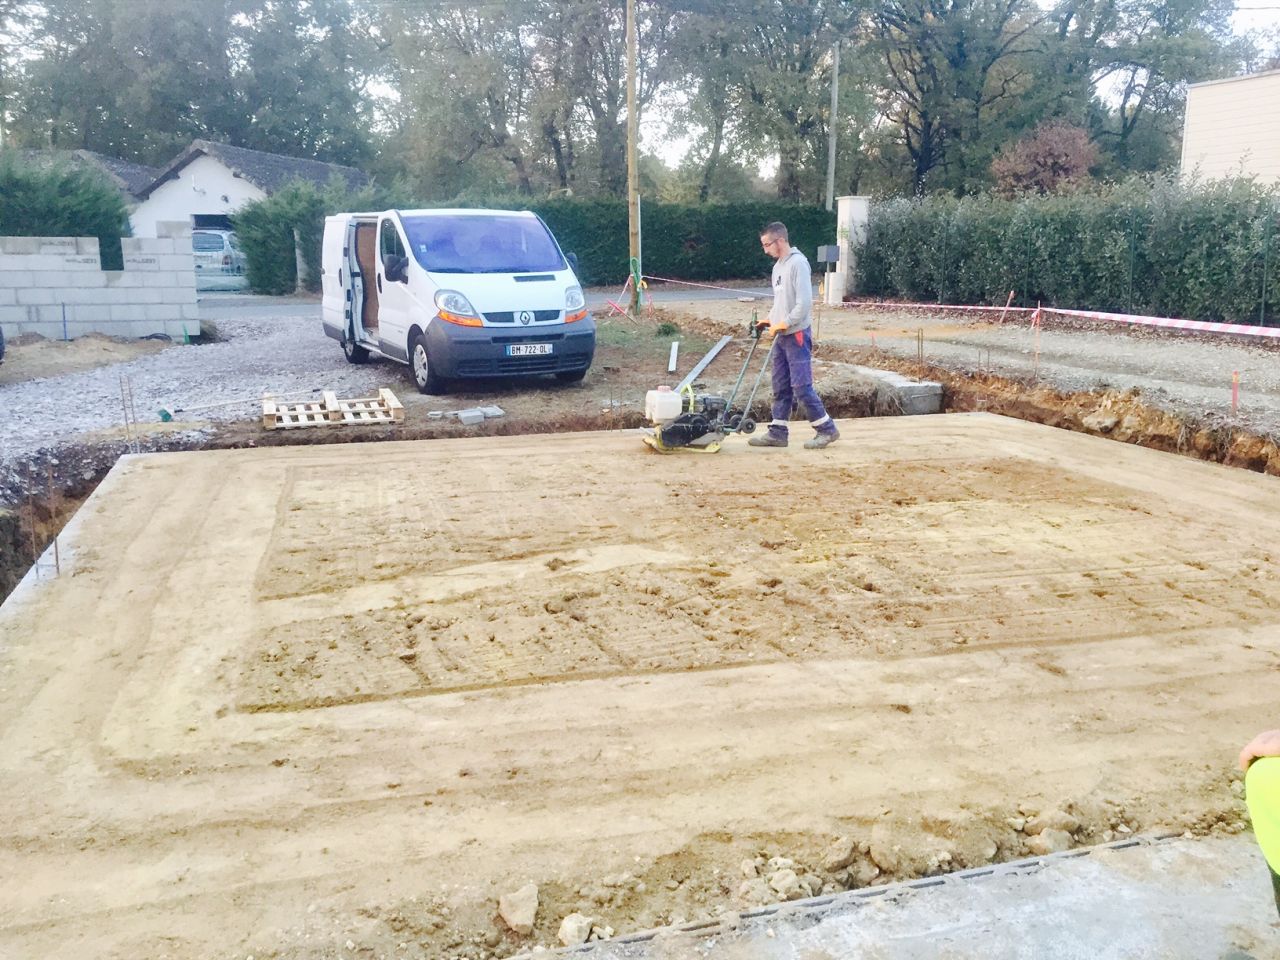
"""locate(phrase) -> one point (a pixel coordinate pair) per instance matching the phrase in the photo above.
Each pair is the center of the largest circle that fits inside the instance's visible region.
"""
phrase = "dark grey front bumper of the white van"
(483, 351)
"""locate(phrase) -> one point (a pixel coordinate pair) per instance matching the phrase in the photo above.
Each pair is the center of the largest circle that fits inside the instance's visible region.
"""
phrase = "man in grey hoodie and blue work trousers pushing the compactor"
(790, 322)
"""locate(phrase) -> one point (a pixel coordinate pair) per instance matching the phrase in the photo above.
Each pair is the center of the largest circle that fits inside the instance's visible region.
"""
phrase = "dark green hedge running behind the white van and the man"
(682, 243)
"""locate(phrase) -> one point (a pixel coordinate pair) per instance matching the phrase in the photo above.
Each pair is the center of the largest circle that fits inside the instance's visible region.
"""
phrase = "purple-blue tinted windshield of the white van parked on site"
(483, 245)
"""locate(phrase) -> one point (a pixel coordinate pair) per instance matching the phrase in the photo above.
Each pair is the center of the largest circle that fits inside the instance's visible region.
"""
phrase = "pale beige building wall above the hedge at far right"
(1233, 129)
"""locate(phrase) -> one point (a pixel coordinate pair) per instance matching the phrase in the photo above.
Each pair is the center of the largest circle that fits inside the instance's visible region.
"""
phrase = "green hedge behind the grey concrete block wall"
(62, 202)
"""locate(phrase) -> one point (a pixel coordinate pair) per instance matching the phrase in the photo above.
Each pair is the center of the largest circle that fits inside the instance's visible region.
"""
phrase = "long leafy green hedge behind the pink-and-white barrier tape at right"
(1201, 252)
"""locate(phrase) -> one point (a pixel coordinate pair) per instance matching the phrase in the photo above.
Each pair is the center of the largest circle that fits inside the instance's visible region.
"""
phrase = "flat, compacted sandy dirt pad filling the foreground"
(337, 701)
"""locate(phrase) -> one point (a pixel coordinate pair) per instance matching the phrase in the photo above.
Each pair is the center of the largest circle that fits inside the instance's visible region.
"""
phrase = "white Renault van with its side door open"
(455, 294)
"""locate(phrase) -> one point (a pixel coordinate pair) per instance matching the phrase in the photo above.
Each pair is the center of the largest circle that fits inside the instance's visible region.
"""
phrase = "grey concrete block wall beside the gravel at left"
(57, 287)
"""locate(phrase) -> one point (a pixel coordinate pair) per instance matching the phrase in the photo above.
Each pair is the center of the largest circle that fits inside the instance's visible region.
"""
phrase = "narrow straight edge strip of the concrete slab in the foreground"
(851, 898)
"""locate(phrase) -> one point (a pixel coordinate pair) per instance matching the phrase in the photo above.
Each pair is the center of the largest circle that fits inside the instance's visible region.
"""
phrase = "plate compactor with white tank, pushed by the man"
(689, 423)
